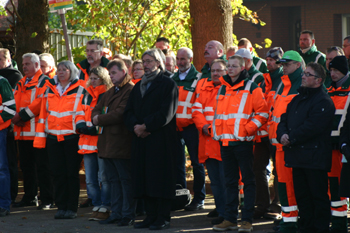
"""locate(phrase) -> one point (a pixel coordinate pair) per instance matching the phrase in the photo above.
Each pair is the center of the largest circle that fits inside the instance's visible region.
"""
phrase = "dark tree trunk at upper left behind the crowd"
(34, 20)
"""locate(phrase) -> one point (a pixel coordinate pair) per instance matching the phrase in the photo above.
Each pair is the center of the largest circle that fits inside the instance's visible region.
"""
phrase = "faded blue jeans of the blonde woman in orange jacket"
(95, 174)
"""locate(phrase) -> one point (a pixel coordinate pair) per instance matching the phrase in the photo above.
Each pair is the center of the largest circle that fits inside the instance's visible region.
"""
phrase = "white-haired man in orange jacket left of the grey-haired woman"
(33, 161)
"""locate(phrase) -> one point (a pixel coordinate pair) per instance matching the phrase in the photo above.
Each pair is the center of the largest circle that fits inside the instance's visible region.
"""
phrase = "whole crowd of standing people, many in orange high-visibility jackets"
(130, 122)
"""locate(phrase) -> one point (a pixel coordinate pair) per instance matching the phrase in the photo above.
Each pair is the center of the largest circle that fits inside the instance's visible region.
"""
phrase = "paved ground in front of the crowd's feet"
(30, 220)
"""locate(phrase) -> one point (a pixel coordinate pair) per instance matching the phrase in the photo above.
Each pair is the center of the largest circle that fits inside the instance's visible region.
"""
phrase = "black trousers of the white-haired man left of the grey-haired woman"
(34, 164)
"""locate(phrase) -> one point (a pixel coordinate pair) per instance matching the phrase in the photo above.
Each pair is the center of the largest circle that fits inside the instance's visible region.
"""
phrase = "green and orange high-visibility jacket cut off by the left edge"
(7, 103)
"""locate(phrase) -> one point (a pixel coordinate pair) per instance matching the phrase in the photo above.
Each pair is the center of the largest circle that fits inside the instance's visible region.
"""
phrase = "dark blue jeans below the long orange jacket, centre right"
(217, 184)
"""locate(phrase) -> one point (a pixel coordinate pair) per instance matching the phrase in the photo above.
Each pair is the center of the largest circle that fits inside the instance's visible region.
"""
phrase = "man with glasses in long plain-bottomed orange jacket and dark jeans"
(209, 149)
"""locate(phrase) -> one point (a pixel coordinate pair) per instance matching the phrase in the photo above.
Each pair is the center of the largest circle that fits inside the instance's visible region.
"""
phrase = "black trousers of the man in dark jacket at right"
(311, 188)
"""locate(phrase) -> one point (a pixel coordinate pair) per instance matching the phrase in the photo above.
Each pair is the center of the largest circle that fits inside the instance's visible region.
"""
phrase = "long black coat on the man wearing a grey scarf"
(153, 157)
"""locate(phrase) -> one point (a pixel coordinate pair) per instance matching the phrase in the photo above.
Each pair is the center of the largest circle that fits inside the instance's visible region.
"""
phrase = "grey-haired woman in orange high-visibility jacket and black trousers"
(60, 115)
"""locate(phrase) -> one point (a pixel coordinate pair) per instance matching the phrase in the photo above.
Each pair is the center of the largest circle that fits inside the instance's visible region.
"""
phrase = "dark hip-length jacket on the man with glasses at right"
(308, 123)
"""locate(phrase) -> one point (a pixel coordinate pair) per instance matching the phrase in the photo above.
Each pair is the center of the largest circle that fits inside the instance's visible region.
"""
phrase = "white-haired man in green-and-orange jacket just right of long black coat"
(186, 79)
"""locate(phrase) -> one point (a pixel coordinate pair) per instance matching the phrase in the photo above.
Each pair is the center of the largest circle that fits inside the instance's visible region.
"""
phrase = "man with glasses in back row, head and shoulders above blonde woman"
(93, 59)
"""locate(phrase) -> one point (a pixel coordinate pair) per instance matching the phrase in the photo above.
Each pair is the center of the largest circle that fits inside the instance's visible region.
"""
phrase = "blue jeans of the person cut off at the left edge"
(5, 195)
